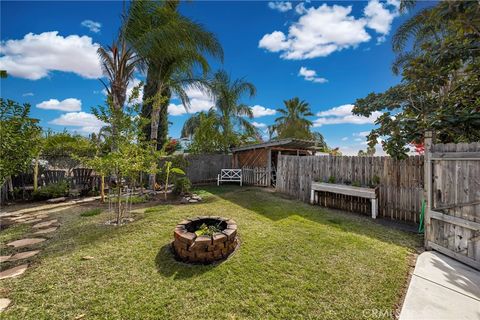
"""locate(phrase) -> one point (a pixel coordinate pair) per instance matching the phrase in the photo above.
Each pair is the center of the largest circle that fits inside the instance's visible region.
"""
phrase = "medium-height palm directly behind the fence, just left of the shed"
(230, 113)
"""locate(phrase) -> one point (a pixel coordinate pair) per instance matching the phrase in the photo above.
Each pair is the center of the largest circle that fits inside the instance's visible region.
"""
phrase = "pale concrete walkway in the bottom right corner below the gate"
(442, 288)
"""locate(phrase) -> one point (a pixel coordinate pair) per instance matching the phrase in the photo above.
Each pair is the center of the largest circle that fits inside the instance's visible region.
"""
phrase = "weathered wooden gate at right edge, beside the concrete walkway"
(452, 216)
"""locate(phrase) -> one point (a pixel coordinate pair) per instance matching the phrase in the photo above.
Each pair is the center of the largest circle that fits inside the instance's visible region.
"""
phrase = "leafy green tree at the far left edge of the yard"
(19, 135)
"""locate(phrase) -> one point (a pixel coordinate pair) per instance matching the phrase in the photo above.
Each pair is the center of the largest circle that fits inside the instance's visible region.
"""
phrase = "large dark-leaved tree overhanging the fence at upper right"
(438, 59)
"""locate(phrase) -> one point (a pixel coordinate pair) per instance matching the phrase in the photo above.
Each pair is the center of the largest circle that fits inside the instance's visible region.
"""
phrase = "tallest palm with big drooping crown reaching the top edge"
(171, 47)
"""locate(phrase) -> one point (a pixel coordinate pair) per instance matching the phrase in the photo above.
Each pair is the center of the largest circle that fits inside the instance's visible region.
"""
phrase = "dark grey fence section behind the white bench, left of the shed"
(205, 168)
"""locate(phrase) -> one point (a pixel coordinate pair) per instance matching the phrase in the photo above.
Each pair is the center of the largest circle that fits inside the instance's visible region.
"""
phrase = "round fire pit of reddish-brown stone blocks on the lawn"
(189, 247)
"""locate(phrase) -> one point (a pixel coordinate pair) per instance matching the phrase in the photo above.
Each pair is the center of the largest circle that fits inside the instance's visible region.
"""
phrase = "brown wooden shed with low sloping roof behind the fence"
(259, 161)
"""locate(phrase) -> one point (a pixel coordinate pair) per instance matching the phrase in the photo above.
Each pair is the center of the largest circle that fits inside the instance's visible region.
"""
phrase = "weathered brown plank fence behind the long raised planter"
(400, 189)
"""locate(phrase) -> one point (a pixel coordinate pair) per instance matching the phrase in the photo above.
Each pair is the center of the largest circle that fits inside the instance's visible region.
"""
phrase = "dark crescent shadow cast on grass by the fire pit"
(168, 266)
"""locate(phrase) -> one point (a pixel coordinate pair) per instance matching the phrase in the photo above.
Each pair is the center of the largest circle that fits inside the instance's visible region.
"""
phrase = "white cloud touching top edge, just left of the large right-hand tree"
(379, 18)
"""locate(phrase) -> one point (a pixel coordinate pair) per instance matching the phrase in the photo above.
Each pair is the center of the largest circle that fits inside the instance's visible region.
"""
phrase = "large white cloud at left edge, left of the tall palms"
(34, 56)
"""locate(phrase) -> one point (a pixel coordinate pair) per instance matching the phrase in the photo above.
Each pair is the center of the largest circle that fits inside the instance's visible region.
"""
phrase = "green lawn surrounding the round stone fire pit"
(295, 261)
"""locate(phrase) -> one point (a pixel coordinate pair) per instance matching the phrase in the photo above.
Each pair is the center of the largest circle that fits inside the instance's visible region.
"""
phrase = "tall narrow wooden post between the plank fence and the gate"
(427, 187)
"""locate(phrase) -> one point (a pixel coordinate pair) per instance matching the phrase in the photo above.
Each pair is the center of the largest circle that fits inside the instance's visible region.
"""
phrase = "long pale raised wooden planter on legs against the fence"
(361, 192)
